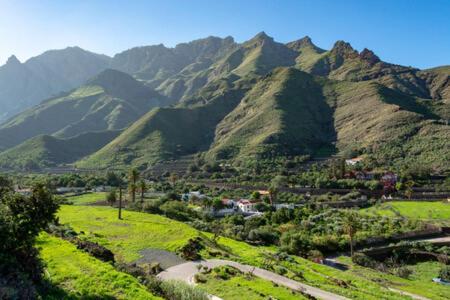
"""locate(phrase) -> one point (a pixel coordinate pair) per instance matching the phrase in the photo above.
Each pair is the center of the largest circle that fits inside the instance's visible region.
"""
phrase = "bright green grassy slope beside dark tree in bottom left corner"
(77, 275)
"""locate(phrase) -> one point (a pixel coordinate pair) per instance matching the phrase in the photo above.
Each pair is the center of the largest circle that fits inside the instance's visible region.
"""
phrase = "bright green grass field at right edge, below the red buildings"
(438, 212)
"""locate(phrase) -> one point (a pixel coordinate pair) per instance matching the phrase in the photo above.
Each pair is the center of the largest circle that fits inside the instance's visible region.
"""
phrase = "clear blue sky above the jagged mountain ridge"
(407, 32)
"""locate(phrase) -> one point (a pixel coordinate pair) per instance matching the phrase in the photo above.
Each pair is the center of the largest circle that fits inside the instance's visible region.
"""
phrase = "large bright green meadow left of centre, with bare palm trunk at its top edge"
(136, 232)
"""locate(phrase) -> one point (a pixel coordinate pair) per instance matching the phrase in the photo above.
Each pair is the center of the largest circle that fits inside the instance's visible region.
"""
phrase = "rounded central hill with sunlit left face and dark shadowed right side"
(284, 114)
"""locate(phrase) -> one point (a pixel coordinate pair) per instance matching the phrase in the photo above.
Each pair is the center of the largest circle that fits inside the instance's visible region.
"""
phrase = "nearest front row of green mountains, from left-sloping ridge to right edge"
(286, 113)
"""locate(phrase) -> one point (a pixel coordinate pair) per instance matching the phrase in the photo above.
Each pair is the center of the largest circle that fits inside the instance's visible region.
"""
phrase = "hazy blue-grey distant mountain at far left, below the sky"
(23, 85)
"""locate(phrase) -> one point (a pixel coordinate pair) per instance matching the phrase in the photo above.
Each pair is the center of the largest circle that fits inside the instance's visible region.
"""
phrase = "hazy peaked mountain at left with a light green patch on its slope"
(110, 101)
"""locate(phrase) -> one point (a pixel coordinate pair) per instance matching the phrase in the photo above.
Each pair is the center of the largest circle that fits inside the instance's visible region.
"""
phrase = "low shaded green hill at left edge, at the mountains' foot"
(48, 151)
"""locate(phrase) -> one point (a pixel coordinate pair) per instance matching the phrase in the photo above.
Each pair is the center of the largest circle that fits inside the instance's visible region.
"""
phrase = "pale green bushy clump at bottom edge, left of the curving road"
(179, 290)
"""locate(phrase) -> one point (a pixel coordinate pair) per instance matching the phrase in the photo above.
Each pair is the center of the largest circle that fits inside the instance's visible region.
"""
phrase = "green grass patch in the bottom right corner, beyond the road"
(420, 281)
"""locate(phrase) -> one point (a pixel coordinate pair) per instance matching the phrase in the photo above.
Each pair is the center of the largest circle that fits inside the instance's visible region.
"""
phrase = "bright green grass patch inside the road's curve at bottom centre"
(231, 284)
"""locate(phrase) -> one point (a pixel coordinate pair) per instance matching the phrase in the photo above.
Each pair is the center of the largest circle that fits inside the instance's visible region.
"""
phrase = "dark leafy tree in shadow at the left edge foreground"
(21, 220)
